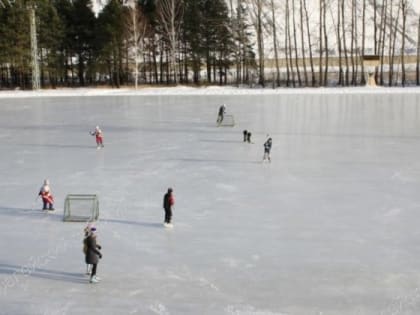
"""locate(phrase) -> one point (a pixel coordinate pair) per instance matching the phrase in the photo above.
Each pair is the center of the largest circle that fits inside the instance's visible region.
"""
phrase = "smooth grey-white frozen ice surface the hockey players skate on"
(329, 227)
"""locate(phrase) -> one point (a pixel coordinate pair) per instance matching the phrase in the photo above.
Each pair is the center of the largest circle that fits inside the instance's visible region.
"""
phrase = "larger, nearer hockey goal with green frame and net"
(81, 208)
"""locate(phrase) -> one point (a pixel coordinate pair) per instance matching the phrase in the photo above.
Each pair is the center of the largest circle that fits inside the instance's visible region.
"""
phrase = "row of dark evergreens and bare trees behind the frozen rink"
(265, 42)
